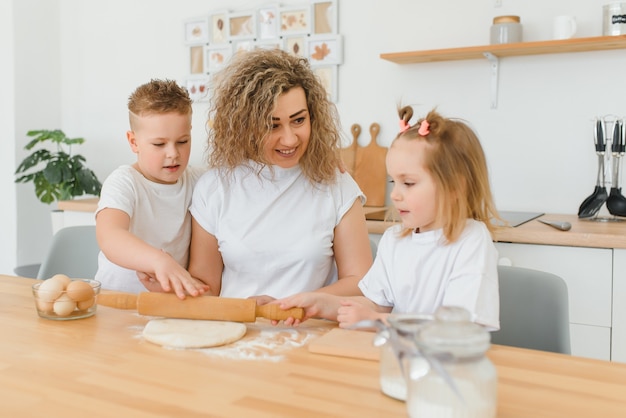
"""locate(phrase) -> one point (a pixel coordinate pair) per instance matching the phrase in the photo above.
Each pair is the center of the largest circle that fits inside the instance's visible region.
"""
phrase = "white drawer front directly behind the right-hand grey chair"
(588, 273)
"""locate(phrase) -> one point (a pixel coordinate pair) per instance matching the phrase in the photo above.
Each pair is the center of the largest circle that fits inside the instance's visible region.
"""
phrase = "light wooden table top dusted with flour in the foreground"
(101, 367)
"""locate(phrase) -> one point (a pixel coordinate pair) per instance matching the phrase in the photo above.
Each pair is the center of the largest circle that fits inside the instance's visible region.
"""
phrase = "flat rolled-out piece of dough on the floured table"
(192, 333)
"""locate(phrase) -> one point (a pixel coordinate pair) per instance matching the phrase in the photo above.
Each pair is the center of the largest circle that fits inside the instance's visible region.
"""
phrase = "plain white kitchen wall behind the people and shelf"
(76, 61)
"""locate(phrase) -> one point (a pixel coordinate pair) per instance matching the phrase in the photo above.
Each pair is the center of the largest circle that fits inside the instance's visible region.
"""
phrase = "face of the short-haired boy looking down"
(162, 143)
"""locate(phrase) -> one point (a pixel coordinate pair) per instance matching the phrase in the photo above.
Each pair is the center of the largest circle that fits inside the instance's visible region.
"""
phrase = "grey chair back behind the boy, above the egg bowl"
(73, 252)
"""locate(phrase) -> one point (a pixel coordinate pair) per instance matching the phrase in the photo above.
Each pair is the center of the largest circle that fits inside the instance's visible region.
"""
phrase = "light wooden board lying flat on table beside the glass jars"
(346, 343)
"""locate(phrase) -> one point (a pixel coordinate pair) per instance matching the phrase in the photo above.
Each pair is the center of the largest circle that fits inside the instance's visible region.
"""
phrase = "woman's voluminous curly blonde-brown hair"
(244, 97)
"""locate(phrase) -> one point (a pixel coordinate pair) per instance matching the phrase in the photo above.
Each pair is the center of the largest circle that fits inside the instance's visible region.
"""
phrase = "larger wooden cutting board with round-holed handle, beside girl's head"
(369, 169)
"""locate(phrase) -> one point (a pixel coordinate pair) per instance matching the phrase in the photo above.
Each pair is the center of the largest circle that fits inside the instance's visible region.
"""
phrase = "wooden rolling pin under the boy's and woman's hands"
(201, 307)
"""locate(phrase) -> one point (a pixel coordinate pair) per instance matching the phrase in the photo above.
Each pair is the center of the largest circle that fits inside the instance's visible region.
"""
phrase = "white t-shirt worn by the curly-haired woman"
(275, 232)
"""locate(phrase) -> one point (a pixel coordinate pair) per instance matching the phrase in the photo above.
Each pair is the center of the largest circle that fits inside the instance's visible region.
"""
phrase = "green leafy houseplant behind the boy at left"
(56, 175)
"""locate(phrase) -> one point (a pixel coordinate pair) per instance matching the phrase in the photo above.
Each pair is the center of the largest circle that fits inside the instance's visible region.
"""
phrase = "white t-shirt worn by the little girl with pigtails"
(418, 273)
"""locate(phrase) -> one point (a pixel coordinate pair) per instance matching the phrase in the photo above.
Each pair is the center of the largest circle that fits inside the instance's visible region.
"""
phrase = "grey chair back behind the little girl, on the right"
(534, 310)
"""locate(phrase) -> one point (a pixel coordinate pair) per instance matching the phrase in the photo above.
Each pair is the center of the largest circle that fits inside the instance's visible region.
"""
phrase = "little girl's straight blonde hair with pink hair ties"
(456, 161)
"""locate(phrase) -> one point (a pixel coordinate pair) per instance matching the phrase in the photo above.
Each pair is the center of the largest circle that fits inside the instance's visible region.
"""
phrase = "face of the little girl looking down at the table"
(414, 192)
